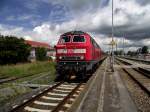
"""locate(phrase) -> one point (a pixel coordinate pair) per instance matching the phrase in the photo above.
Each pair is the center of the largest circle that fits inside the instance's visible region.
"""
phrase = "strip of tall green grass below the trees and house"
(26, 69)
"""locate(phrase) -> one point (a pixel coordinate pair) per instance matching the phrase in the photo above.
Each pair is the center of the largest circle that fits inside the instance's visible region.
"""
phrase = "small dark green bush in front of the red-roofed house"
(41, 54)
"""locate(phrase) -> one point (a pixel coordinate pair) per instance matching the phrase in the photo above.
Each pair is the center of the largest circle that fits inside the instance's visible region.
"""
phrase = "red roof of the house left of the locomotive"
(38, 44)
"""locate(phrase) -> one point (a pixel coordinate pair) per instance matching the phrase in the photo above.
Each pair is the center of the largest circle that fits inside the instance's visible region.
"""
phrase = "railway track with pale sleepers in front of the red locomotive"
(56, 98)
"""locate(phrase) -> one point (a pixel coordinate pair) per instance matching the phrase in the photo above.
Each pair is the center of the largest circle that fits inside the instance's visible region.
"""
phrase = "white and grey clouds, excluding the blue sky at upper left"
(131, 19)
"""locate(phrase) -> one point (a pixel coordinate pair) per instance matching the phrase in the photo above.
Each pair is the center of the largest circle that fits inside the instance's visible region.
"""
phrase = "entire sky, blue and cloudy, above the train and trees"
(46, 20)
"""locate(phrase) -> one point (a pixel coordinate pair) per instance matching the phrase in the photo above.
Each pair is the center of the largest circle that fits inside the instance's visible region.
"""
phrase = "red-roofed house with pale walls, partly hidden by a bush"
(34, 45)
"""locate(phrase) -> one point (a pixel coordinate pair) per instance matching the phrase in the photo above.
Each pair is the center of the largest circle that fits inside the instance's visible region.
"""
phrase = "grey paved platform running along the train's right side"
(107, 93)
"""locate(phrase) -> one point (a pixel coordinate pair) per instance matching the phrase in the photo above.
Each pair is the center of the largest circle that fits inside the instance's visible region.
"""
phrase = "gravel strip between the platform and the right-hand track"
(141, 99)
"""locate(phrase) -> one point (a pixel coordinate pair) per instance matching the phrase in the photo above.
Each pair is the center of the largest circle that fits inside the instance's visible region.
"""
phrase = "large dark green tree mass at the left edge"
(13, 50)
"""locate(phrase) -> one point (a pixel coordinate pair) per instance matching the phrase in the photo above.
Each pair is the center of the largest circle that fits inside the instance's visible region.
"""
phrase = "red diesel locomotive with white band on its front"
(76, 51)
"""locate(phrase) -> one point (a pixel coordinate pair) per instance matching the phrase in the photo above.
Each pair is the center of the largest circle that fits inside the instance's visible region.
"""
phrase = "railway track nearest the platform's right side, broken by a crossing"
(142, 79)
